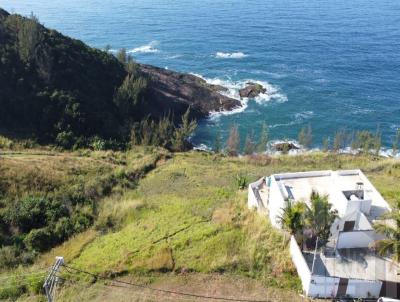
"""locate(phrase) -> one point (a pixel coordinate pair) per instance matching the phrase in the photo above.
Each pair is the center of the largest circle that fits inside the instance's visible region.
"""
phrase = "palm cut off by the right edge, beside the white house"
(391, 244)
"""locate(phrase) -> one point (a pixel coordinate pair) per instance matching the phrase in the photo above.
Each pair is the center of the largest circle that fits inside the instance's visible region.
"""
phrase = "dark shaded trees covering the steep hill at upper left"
(54, 89)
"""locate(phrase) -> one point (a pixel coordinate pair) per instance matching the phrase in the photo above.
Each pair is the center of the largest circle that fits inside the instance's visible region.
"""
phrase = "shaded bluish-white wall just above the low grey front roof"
(356, 239)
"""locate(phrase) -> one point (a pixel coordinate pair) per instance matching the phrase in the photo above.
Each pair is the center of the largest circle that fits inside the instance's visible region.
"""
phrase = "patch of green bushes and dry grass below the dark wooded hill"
(46, 198)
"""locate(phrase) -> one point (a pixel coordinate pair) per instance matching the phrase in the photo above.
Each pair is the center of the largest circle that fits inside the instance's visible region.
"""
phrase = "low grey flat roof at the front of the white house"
(360, 264)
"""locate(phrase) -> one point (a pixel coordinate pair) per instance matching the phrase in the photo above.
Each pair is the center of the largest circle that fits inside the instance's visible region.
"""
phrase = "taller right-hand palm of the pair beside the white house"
(320, 216)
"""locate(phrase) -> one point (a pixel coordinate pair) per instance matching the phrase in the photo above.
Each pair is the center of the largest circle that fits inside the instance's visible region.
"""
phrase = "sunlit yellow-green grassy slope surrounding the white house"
(186, 223)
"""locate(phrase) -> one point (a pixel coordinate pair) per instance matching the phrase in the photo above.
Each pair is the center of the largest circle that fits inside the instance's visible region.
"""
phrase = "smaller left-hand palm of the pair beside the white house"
(292, 217)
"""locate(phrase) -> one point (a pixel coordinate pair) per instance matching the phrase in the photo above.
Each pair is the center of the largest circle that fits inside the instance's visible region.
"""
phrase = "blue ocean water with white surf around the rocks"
(331, 64)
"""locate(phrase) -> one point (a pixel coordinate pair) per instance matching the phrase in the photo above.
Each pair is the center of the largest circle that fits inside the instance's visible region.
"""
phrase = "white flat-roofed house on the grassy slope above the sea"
(346, 266)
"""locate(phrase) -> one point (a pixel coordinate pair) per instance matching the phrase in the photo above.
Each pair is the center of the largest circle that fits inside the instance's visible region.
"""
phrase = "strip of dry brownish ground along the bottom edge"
(211, 285)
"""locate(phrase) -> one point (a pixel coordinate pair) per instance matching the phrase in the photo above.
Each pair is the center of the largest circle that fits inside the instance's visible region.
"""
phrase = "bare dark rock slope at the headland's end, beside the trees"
(171, 91)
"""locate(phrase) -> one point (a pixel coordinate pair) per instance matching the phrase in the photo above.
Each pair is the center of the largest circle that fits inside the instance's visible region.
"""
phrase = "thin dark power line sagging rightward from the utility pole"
(163, 290)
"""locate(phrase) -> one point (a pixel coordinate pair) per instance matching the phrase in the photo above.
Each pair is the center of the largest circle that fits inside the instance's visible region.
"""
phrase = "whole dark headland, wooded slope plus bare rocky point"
(54, 87)
